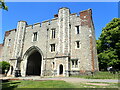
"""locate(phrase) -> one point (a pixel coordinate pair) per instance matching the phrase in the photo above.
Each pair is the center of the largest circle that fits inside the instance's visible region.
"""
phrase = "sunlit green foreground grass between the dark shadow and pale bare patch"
(44, 84)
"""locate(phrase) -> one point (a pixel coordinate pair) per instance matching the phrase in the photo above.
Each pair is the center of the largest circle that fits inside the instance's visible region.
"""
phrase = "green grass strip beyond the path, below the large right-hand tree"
(100, 75)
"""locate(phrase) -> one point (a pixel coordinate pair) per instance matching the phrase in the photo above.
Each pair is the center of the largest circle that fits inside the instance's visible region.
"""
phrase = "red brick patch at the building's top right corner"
(86, 17)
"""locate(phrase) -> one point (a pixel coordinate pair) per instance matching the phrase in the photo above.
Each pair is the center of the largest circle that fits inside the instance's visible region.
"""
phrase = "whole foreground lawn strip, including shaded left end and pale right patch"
(58, 84)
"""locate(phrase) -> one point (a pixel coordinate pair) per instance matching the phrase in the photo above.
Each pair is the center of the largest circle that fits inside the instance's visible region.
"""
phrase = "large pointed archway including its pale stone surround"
(32, 60)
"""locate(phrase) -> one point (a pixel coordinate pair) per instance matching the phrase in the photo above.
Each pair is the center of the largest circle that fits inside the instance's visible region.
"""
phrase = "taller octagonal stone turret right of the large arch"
(63, 32)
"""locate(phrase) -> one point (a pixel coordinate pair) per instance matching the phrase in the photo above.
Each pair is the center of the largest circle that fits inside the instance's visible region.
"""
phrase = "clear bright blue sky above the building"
(34, 12)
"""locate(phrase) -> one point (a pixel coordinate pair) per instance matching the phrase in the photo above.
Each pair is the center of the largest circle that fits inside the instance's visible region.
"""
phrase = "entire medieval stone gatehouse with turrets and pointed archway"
(64, 45)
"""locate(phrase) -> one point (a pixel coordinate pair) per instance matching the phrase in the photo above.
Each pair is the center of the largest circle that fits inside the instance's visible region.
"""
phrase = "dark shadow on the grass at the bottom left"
(8, 85)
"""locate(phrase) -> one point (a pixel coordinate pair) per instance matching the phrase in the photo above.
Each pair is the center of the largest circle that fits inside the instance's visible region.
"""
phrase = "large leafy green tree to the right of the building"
(108, 45)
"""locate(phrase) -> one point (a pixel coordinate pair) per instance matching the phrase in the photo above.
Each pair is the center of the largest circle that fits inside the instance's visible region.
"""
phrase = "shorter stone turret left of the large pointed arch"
(19, 42)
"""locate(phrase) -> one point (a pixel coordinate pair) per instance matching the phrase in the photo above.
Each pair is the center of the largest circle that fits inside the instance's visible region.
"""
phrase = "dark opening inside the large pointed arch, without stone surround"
(34, 64)
